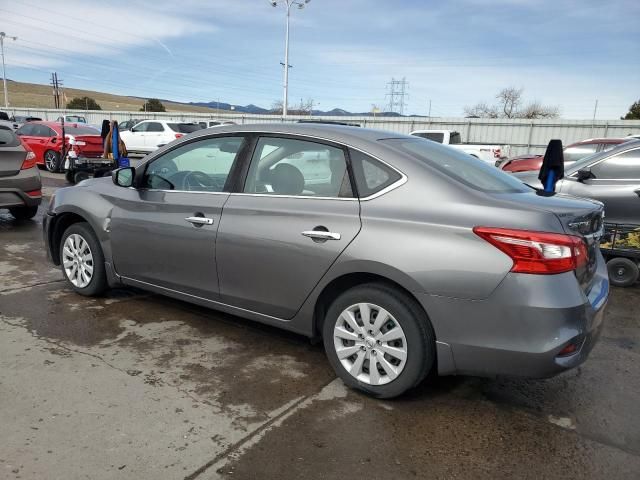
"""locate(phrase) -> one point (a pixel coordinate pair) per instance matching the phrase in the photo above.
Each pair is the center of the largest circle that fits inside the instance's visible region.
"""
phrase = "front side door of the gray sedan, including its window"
(164, 231)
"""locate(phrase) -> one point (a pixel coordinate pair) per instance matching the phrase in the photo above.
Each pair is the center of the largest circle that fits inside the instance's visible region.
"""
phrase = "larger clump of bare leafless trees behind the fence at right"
(510, 105)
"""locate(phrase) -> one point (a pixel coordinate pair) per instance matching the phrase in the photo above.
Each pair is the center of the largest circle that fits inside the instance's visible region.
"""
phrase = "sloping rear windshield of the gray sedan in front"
(459, 166)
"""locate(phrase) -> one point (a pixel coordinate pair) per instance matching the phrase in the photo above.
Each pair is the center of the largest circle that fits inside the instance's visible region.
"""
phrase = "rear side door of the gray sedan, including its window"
(294, 216)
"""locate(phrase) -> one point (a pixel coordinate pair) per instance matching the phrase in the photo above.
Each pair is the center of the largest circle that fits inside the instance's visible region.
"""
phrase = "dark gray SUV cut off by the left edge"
(20, 185)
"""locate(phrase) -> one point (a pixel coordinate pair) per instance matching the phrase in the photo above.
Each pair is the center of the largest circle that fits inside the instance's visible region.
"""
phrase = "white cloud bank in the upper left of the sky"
(76, 27)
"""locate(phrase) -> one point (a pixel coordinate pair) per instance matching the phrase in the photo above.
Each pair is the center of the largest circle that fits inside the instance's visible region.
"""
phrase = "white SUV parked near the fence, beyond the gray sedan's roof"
(149, 135)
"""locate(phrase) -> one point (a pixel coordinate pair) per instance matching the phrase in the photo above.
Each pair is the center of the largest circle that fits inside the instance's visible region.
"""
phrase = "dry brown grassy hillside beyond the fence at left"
(33, 95)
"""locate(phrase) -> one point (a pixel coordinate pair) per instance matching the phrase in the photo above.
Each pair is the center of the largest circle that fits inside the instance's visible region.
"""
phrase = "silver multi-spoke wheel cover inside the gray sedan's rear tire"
(370, 344)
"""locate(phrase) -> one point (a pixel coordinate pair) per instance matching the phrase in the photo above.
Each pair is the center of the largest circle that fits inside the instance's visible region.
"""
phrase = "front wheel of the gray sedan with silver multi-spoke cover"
(82, 260)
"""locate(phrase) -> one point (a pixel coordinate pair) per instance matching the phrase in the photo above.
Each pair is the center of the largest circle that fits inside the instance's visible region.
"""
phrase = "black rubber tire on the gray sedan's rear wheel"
(420, 339)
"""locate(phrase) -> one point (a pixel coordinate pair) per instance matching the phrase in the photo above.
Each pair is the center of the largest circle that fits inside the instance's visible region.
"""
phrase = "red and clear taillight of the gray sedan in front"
(537, 252)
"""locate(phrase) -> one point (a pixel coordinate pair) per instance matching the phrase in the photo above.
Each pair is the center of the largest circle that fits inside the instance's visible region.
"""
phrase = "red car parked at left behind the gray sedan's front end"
(45, 139)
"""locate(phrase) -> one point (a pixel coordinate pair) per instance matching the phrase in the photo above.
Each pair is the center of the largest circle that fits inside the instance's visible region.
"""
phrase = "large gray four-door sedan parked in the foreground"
(405, 256)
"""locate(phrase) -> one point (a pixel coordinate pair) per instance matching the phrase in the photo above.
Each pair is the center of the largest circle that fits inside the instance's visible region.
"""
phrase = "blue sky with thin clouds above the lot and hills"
(452, 53)
